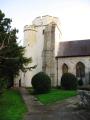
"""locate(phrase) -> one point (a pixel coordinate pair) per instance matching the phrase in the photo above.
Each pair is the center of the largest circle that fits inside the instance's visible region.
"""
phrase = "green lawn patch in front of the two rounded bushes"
(55, 95)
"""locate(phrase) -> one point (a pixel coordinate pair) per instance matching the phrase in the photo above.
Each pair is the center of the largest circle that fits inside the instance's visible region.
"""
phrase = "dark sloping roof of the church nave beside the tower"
(74, 48)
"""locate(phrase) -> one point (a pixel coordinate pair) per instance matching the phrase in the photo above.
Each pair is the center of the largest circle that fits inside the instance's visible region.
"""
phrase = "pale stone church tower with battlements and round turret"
(40, 40)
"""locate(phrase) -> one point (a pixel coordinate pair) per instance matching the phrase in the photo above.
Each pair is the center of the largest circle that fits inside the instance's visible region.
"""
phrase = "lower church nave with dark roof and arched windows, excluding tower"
(74, 57)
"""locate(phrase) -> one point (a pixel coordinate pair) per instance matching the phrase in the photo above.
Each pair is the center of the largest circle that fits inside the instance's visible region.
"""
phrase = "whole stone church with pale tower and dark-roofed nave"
(42, 44)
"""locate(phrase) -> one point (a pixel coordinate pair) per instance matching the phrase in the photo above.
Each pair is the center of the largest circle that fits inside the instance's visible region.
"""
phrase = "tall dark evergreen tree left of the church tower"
(12, 58)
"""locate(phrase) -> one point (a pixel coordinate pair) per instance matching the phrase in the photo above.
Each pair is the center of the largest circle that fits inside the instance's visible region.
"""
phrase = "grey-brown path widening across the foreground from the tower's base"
(66, 110)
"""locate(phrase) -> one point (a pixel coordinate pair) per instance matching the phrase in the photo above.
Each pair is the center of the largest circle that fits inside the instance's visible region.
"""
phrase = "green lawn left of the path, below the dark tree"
(12, 106)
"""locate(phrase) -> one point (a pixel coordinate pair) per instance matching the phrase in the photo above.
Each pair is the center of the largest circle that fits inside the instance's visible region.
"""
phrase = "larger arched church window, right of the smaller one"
(80, 70)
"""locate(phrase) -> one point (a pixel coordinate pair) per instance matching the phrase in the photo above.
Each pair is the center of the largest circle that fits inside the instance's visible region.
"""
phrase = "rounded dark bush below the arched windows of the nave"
(68, 81)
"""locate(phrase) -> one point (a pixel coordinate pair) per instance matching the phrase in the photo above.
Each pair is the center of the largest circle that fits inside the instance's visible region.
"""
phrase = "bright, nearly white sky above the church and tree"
(74, 15)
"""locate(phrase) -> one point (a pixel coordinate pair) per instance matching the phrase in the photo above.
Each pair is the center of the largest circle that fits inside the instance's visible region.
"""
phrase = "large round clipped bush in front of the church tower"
(41, 83)
